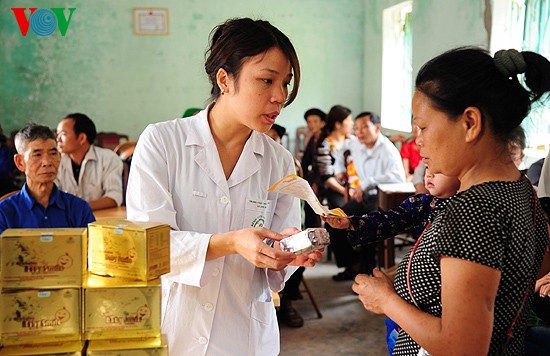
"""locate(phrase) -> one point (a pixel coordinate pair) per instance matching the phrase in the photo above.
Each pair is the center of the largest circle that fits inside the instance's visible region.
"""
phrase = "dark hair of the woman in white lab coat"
(236, 40)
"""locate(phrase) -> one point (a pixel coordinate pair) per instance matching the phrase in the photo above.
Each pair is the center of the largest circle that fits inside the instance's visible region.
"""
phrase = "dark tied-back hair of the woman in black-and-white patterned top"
(468, 76)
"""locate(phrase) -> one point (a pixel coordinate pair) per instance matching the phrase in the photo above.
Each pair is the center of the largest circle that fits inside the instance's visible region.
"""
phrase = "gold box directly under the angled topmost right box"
(121, 308)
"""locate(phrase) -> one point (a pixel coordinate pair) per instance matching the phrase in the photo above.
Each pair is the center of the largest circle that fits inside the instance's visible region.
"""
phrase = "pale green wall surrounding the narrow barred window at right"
(438, 25)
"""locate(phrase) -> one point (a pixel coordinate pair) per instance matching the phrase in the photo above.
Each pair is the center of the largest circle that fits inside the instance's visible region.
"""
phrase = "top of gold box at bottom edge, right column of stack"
(129, 347)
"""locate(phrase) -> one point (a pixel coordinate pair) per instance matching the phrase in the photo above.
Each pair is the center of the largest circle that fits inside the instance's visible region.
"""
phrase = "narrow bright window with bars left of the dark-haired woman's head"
(397, 67)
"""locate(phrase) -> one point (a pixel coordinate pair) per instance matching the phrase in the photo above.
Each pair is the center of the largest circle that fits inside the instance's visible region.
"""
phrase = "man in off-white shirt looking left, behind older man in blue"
(87, 171)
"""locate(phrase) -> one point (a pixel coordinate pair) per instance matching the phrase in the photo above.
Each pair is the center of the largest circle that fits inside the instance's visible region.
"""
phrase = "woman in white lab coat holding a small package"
(208, 176)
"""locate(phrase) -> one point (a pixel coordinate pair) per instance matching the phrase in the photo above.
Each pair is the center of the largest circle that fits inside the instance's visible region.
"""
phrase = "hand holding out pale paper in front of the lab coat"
(300, 188)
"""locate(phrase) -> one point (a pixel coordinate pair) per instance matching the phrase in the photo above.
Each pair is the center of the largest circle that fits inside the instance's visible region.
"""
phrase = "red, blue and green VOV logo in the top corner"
(43, 22)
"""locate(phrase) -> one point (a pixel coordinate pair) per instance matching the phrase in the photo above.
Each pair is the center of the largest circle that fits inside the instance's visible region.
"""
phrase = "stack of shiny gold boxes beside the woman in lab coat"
(92, 291)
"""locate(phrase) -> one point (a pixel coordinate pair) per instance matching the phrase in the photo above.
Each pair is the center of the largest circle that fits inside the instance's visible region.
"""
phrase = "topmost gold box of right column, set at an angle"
(134, 250)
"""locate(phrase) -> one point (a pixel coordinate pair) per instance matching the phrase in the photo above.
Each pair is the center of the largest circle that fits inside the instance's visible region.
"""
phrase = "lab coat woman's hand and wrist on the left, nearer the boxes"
(250, 243)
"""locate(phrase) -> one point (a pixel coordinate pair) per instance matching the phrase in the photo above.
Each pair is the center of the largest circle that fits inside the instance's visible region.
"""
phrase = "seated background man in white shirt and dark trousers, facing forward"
(377, 161)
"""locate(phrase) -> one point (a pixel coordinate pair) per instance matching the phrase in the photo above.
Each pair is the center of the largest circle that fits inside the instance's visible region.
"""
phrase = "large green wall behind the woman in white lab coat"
(123, 81)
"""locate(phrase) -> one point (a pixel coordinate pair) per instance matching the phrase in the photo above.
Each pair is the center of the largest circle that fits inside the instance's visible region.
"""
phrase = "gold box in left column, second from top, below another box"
(40, 316)
